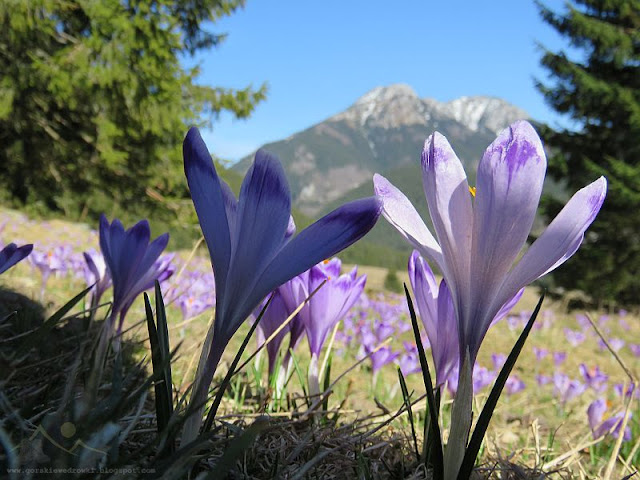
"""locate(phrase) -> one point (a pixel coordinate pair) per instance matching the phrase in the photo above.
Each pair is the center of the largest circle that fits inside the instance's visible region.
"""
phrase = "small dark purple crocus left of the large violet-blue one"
(133, 263)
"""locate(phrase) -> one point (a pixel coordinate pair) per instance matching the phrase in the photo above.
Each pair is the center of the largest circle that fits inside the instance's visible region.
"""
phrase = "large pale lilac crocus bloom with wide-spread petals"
(480, 236)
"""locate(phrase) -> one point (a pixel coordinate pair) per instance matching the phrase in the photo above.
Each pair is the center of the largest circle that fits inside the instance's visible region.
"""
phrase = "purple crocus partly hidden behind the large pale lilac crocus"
(437, 312)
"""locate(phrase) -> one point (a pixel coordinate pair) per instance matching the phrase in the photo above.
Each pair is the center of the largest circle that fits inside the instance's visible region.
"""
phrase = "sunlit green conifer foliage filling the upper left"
(95, 102)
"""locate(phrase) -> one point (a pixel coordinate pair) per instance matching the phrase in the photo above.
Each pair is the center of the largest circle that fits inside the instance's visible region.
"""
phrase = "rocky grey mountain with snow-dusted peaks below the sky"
(383, 130)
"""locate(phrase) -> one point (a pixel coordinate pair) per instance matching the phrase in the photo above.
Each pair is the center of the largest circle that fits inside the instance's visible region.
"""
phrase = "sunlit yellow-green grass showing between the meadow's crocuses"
(532, 426)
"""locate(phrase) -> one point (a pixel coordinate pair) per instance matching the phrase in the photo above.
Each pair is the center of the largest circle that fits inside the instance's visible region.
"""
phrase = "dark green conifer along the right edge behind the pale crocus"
(600, 93)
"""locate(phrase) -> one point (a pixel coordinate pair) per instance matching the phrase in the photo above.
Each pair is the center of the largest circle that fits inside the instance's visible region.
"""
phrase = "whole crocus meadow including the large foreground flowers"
(337, 348)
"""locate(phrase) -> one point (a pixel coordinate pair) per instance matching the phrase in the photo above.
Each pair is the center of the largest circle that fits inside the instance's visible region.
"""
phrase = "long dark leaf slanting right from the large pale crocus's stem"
(487, 411)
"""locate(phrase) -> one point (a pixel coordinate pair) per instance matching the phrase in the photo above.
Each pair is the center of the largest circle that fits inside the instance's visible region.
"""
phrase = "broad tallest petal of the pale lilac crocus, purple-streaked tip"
(509, 185)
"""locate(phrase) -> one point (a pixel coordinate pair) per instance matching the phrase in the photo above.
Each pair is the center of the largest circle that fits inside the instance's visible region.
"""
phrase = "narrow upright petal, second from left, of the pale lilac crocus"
(447, 191)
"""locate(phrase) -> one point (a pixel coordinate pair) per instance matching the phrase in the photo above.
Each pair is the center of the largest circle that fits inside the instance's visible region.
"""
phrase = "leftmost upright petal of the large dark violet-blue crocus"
(210, 199)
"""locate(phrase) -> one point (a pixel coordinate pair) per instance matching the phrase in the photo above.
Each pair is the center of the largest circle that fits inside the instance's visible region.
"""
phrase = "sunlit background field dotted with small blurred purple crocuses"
(566, 386)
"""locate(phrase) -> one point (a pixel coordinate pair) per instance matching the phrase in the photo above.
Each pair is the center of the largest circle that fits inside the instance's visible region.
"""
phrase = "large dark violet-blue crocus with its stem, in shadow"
(251, 246)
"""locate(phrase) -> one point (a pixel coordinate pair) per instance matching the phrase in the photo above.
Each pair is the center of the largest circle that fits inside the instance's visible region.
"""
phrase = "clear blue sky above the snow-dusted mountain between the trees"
(319, 57)
